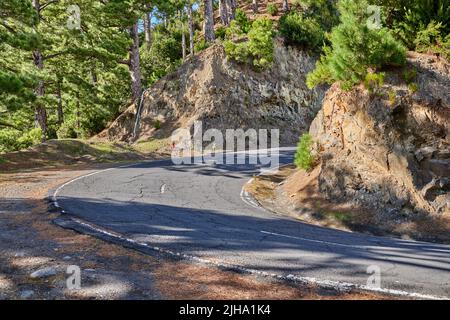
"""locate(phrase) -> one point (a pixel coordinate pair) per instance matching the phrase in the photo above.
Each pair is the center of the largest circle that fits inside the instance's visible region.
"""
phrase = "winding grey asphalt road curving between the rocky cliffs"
(199, 210)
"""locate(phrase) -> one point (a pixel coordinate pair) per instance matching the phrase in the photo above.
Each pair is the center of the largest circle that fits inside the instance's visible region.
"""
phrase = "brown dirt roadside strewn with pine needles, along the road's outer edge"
(30, 242)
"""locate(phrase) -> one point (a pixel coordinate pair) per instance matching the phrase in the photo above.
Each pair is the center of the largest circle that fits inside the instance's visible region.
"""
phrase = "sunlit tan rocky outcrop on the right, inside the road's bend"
(390, 149)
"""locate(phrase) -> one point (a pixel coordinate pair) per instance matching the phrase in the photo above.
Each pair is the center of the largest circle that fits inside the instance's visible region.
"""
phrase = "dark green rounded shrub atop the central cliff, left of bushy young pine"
(306, 31)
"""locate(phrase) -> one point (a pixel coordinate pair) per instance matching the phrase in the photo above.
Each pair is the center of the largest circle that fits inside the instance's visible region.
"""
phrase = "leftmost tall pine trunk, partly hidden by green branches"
(40, 113)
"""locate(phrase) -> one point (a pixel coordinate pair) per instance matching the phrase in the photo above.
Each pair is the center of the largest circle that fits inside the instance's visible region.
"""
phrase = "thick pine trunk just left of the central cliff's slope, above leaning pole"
(135, 64)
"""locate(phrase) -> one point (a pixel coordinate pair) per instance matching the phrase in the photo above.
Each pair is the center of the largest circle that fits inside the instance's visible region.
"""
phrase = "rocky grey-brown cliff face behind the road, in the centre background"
(225, 95)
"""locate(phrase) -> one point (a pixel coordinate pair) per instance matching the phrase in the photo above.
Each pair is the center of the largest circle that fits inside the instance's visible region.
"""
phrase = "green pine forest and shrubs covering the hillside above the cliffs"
(67, 72)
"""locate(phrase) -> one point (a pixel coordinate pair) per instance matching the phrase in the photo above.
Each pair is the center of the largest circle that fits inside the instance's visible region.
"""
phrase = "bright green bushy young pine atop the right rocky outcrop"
(355, 48)
